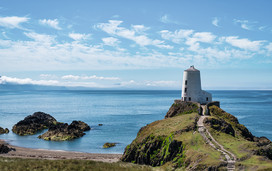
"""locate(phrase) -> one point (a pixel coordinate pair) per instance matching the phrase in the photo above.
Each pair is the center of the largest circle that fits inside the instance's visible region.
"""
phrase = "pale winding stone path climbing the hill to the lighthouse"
(230, 157)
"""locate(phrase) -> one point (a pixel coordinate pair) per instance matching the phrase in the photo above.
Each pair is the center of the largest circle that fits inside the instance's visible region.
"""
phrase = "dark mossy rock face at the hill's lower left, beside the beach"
(154, 151)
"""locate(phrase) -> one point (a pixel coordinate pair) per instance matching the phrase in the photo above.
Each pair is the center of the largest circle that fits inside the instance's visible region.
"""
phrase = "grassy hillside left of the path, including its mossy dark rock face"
(192, 151)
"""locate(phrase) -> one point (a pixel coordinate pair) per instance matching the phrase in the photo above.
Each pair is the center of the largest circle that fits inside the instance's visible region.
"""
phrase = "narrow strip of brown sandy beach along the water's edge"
(22, 152)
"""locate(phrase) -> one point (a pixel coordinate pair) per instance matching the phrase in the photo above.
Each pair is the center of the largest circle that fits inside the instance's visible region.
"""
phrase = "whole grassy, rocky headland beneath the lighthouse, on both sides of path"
(175, 143)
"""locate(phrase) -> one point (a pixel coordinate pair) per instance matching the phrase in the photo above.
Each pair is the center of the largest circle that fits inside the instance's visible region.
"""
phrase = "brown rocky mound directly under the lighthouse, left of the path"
(181, 107)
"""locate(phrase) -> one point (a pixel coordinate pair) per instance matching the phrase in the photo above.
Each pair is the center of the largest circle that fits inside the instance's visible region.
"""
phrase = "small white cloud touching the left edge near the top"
(12, 22)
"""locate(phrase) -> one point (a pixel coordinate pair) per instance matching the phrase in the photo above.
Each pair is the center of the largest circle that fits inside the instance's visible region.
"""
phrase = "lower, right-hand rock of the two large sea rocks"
(63, 131)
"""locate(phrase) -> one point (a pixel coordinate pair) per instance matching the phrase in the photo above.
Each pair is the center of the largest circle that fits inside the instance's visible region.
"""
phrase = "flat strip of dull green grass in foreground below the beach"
(15, 164)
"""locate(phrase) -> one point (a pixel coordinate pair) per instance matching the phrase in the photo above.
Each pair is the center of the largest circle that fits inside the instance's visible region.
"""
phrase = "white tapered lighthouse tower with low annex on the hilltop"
(191, 87)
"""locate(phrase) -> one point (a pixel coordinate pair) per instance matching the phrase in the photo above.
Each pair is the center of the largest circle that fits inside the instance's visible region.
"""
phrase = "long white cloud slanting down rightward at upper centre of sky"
(112, 27)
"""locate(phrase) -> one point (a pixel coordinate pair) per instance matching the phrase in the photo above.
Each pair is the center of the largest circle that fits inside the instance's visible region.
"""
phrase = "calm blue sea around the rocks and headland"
(121, 112)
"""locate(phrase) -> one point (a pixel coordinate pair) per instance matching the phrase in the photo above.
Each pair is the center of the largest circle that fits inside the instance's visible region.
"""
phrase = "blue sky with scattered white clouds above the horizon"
(141, 44)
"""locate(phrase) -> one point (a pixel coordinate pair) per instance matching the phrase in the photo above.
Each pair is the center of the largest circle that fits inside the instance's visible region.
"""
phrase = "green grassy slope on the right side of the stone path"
(242, 144)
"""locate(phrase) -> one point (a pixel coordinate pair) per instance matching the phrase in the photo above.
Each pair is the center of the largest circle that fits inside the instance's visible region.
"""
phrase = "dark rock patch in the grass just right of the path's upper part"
(220, 125)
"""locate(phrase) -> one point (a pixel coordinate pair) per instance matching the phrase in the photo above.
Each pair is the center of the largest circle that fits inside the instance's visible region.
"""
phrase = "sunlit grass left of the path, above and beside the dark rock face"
(195, 148)
